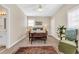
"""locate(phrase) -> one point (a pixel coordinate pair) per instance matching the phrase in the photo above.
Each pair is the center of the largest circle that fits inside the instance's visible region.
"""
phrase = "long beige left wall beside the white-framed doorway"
(17, 28)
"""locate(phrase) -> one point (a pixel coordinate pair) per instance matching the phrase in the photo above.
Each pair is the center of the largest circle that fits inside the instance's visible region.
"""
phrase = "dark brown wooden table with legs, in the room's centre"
(36, 36)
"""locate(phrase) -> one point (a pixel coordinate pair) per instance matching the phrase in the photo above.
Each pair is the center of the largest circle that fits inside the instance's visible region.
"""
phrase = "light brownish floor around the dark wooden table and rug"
(51, 41)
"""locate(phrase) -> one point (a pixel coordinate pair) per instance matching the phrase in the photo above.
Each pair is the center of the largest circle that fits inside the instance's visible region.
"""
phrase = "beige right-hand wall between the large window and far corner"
(61, 16)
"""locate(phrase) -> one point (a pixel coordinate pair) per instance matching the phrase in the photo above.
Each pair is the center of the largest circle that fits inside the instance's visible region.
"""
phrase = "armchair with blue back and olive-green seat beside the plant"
(69, 44)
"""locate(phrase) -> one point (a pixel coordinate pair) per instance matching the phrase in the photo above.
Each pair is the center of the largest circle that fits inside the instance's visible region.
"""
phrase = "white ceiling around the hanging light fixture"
(31, 9)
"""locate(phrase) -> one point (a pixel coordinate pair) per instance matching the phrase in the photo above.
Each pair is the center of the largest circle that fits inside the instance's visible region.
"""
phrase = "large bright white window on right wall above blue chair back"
(73, 19)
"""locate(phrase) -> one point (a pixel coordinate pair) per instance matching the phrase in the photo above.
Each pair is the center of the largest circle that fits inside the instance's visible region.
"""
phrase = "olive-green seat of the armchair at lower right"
(66, 47)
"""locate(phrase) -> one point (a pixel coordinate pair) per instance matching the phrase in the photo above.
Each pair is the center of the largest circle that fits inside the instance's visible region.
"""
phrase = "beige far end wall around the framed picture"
(44, 19)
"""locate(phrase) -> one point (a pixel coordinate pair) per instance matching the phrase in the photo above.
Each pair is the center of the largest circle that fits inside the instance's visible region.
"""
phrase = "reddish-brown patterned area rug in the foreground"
(36, 50)
